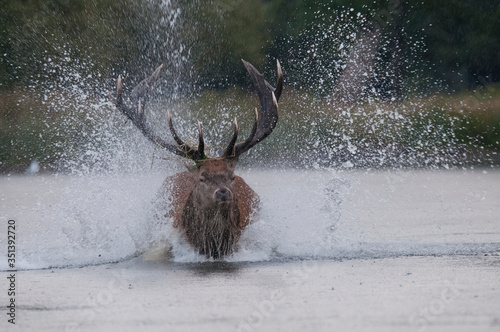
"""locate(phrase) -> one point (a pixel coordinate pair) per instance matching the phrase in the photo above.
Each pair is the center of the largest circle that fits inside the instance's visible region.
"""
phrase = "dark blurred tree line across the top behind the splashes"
(456, 42)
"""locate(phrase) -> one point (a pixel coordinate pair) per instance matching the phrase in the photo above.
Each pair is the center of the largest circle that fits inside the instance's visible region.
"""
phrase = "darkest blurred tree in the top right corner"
(462, 39)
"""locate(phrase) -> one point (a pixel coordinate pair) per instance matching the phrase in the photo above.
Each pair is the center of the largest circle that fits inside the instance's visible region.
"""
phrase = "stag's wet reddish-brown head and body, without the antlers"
(212, 213)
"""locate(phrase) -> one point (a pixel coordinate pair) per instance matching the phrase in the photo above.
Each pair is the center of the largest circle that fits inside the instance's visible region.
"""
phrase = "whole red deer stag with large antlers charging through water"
(210, 204)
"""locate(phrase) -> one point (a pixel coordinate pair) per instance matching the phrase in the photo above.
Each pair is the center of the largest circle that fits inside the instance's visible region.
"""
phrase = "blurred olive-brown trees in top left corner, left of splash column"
(40, 41)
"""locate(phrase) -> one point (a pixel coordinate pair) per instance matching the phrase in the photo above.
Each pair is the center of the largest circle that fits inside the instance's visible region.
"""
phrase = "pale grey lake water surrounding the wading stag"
(359, 250)
